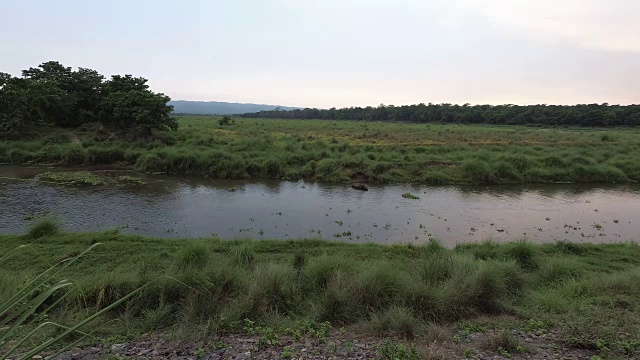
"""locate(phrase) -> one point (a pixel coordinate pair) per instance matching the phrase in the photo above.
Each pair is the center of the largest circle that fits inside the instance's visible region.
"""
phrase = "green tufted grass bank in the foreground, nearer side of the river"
(204, 287)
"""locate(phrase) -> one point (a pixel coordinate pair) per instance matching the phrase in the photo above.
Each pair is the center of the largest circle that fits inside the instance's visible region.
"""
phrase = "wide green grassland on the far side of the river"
(346, 150)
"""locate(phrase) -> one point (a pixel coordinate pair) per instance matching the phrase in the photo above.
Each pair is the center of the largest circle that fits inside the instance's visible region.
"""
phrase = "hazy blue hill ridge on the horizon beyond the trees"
(221, 108)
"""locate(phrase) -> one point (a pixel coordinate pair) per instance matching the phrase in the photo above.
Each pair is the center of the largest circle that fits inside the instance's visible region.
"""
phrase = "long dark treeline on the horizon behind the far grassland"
(601, 115)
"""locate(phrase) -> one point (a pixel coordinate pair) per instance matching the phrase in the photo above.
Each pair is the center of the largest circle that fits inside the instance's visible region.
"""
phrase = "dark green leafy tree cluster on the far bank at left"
(55, 95)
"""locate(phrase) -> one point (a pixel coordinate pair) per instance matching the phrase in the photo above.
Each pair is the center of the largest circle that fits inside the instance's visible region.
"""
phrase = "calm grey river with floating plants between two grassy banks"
(169, 206)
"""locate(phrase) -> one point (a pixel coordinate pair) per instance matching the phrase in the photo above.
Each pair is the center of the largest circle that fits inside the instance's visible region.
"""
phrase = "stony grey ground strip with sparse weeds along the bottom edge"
(338, 345)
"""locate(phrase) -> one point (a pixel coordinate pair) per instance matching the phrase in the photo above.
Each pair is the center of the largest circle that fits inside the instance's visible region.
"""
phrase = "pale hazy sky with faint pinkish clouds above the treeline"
(324, 53)
